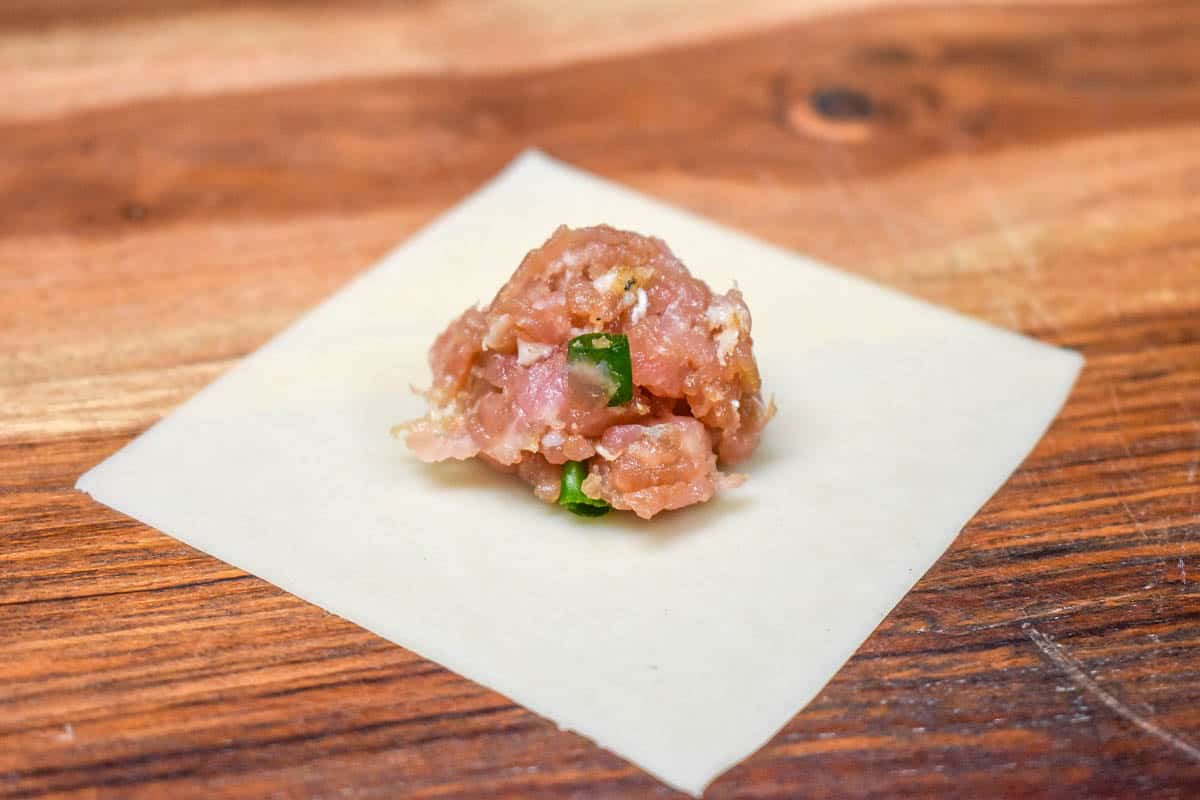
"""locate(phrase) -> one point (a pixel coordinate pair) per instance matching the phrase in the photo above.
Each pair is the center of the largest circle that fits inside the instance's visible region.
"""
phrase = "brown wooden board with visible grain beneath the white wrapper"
(181, 181)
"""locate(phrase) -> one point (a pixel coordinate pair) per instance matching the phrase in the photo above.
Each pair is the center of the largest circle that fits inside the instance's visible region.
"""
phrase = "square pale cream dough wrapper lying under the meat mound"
(682, 645)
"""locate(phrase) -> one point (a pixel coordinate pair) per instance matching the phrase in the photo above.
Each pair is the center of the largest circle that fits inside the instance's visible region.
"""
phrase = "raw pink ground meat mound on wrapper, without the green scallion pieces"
(506, 392)
